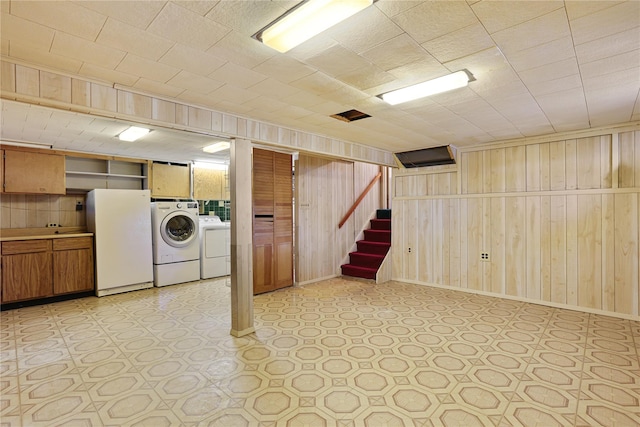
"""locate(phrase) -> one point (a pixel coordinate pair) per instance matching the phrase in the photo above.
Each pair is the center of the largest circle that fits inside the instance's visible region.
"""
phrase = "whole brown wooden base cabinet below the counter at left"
(41, 268)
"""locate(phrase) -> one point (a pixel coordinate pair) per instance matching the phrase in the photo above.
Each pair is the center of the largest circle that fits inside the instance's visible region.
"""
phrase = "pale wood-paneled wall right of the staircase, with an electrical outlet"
(559, 222)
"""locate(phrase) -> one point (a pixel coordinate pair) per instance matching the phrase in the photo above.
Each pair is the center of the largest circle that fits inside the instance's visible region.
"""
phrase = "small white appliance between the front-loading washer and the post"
(215, 247)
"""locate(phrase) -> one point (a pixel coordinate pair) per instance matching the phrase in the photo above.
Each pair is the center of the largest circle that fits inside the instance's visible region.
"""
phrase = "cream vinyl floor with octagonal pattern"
(336, 353)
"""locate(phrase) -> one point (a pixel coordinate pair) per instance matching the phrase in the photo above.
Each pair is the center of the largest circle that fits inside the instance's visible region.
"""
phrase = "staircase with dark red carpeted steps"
(364, 263)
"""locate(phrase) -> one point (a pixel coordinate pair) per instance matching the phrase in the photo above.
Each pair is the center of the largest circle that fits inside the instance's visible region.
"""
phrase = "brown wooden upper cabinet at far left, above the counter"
(33, 172)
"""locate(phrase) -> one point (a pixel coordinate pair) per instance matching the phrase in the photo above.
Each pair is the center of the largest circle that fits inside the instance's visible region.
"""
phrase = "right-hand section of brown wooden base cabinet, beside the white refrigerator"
(73, 265)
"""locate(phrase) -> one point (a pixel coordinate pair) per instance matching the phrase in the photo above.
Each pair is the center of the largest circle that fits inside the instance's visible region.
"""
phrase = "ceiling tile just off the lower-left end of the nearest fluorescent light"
(242, 50)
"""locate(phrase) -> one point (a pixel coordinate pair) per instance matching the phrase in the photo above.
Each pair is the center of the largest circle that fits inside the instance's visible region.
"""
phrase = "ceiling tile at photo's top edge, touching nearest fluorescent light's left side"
(247, 17)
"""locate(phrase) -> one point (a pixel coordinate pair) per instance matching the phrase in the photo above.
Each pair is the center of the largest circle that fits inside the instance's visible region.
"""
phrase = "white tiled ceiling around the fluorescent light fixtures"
(540, 66)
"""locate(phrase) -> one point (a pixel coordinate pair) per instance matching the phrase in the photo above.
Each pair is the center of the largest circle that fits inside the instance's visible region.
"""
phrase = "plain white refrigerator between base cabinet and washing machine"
(121, 223)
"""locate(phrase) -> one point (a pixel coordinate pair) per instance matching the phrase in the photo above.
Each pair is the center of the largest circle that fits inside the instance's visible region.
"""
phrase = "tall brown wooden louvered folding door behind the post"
(272, 221)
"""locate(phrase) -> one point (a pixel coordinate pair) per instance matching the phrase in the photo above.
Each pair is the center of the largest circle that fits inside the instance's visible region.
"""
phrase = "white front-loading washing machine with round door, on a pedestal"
(176, 251)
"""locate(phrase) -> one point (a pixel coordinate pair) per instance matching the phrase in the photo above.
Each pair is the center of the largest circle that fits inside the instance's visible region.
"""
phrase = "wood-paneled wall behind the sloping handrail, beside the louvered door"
(325, 190)
